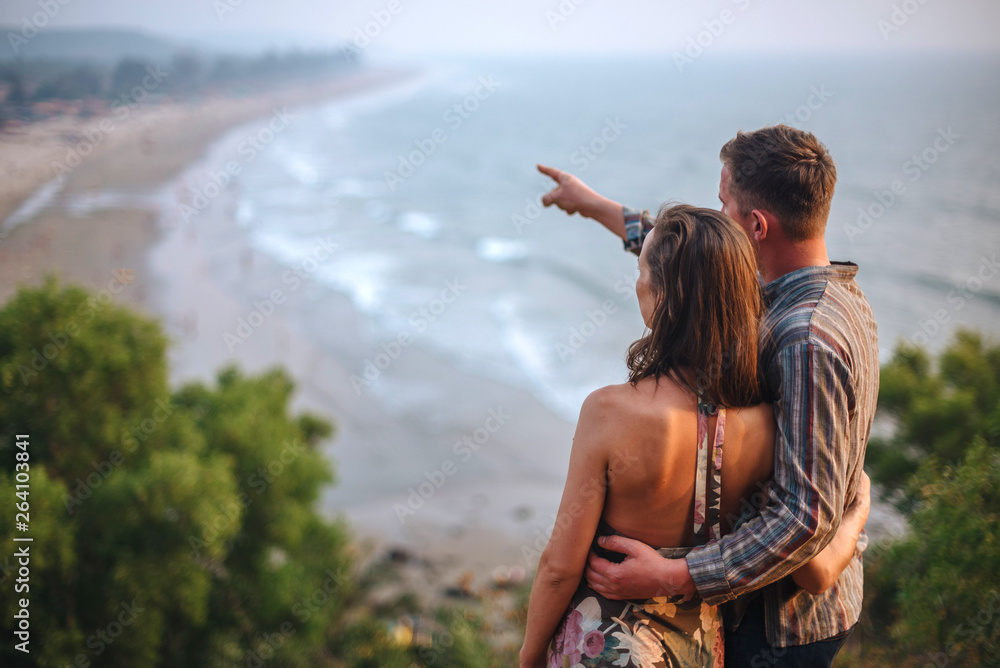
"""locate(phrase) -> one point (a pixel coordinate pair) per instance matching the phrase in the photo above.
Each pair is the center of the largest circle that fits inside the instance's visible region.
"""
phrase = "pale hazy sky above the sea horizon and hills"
(555, 25)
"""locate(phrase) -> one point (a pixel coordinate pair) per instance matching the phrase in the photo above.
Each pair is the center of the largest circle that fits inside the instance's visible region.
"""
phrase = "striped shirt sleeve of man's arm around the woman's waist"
(805, 501)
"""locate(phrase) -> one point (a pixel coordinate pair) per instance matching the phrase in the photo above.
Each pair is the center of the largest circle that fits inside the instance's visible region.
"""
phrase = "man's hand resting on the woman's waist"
(643, 574)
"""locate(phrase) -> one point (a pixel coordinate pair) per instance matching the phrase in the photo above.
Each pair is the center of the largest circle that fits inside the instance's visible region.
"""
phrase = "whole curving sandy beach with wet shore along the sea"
(113, 212)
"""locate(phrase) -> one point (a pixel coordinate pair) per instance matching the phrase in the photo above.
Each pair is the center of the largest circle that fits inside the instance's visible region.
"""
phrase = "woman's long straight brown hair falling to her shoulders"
(705, 326)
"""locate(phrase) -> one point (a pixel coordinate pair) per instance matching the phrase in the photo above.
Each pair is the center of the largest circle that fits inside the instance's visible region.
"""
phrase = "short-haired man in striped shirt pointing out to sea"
(820, 360)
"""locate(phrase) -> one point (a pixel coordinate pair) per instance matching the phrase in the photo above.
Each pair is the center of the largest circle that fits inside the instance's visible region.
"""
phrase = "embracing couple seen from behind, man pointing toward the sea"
(715, 503)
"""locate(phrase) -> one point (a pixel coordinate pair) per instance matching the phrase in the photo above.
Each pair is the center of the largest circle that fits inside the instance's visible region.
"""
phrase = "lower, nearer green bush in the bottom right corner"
(936, 594)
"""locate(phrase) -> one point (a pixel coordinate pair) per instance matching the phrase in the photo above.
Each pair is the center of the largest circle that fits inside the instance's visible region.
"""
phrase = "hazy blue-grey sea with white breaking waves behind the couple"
(424, 199)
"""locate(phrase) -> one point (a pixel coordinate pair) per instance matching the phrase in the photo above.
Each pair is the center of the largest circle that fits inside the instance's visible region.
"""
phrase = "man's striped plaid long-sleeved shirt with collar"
(820, 357)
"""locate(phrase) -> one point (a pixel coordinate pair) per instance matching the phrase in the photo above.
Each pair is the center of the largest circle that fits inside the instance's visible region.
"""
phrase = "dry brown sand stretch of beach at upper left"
(132, 163)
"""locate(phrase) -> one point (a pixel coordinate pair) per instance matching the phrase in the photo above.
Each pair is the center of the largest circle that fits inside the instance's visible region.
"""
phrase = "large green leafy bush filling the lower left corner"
(188, 516)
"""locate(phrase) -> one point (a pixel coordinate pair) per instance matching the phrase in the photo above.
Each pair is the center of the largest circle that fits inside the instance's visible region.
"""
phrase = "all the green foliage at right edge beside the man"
(933, 598)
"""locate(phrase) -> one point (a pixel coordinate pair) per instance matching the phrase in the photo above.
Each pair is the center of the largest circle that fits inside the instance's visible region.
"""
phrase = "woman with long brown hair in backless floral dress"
(647, 458)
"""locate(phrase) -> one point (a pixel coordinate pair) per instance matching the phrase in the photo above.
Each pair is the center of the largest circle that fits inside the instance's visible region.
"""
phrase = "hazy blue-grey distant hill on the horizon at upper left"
(109, 44)
